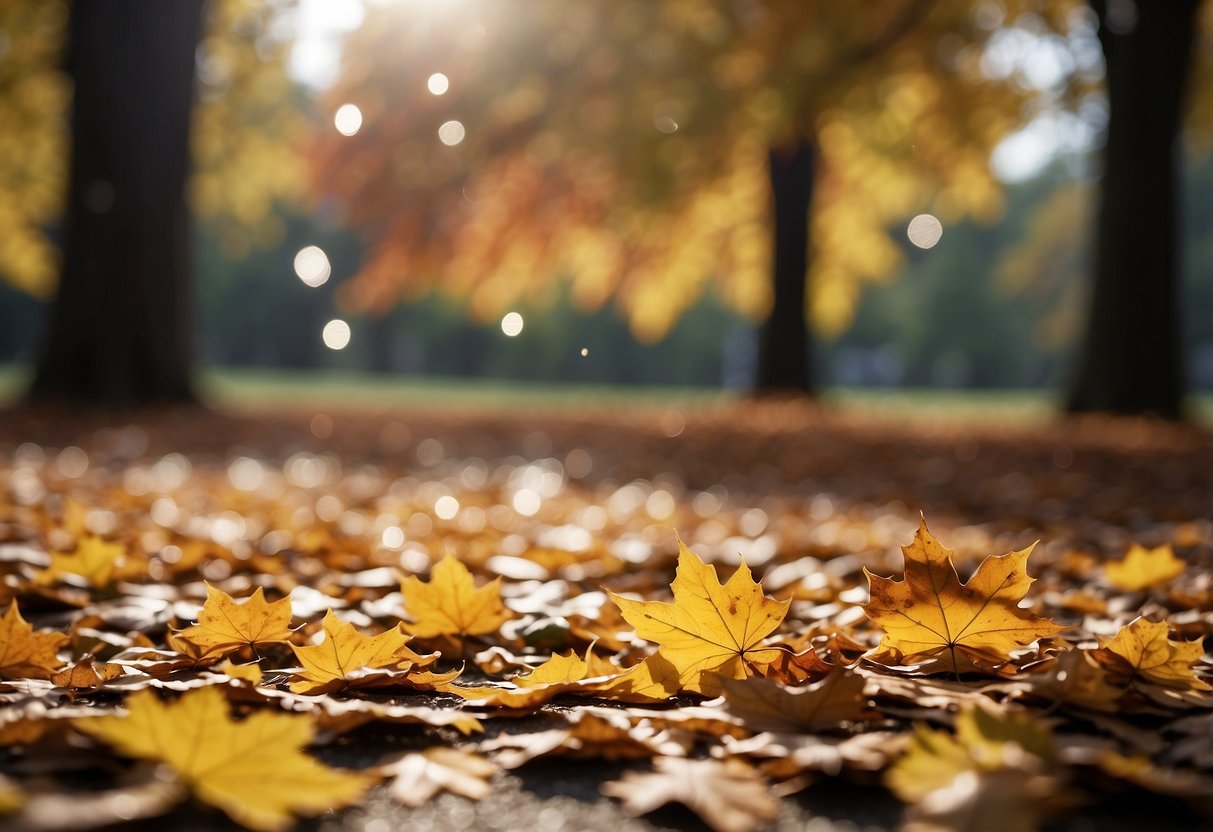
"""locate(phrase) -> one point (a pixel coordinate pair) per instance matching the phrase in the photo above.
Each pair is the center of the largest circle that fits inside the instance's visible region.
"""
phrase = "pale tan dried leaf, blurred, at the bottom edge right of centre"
(730, 796)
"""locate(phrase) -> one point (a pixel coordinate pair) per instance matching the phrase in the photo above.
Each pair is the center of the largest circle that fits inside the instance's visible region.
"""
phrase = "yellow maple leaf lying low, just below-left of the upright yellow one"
(345, 653)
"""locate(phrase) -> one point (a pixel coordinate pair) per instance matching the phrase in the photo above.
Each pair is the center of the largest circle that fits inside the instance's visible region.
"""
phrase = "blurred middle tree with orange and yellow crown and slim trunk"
(646, 152)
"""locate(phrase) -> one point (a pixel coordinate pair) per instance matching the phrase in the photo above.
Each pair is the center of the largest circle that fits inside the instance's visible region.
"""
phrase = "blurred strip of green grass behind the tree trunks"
(264, 389)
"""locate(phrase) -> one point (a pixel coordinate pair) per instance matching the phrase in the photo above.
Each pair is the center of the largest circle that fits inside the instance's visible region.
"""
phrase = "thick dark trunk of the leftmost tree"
(121, 329)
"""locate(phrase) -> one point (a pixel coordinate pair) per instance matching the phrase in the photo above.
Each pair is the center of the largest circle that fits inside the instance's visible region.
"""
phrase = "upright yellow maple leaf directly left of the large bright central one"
(452, 605)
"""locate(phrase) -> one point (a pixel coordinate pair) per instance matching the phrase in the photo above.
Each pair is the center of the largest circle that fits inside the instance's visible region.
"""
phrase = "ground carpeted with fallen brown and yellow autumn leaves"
(767, 614)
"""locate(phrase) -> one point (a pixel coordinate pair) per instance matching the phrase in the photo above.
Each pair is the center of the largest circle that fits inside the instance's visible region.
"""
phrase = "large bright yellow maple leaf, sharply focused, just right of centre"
(710, 629)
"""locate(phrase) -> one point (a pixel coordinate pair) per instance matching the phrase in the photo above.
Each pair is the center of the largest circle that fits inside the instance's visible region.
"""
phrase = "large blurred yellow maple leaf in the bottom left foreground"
(254, 770)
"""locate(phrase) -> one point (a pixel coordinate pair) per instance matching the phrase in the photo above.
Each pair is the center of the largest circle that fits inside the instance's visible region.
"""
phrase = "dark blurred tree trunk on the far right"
(1131, 360)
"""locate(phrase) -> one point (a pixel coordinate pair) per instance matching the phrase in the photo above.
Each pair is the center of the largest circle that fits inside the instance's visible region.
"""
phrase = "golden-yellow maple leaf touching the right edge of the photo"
(1142, 649)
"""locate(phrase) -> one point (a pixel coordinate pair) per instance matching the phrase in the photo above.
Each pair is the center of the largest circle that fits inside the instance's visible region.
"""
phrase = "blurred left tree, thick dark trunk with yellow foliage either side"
(121, 330)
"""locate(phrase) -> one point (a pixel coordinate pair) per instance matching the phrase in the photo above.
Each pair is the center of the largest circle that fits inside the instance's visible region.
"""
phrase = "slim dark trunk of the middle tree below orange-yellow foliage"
(784, 366)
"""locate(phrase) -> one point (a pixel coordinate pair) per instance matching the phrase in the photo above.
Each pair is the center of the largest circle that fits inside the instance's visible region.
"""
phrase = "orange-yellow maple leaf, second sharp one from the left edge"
(226, 625)
